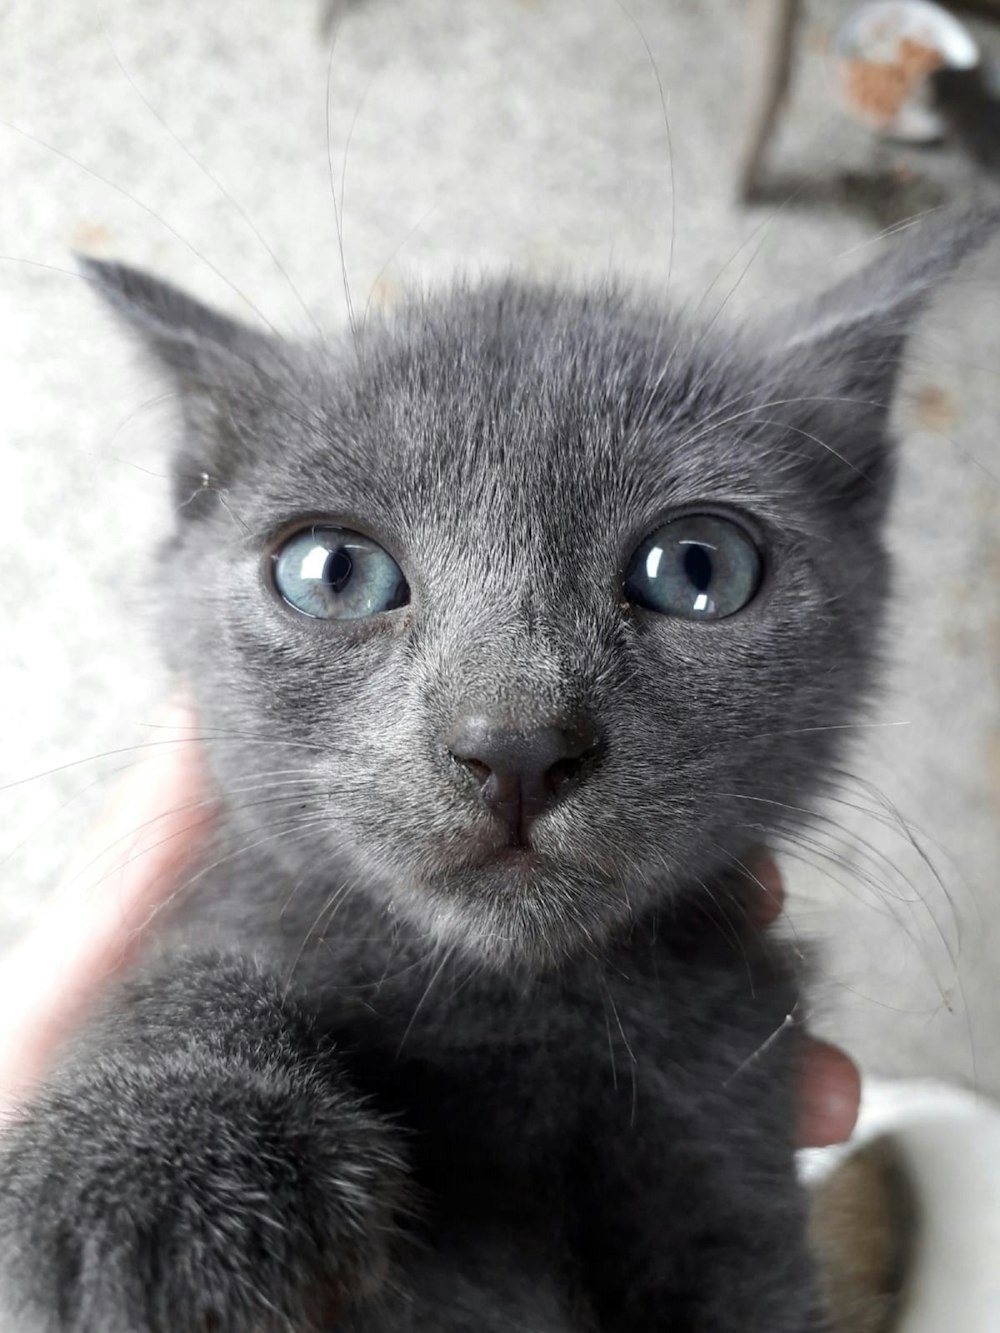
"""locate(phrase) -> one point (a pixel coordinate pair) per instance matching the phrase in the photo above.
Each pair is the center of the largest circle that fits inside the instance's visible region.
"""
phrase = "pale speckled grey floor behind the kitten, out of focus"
(485, 135)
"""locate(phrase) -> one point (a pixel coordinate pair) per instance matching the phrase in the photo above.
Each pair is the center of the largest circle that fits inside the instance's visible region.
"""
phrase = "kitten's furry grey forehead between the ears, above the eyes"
(522, 411)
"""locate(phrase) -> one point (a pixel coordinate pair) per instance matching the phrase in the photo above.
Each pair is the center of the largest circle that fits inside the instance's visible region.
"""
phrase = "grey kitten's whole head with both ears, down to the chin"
(534, 607)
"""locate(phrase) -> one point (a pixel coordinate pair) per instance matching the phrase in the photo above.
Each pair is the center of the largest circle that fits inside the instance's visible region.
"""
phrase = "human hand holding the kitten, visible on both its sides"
(94, 926)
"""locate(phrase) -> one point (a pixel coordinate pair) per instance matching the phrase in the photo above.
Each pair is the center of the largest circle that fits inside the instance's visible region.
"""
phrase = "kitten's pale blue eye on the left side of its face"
(333, 574)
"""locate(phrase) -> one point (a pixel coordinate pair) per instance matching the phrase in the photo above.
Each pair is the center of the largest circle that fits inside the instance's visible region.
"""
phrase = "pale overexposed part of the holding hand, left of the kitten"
(97, 922)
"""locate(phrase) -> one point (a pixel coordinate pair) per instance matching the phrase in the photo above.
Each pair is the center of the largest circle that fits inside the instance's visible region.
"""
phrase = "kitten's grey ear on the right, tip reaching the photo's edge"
(837, 359)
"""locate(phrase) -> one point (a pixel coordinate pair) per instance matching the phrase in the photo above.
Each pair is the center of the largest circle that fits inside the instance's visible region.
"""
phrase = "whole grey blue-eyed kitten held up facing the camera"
(513, 626)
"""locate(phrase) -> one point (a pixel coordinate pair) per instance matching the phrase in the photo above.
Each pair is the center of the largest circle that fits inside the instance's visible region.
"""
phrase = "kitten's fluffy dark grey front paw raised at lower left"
(199, 1164)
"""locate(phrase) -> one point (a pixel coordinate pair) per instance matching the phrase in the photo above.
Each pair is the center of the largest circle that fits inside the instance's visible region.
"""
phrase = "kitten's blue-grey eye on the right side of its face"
(698, 567)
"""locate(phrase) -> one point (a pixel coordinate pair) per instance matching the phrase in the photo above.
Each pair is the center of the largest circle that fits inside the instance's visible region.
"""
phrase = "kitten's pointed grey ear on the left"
(225, 373)
